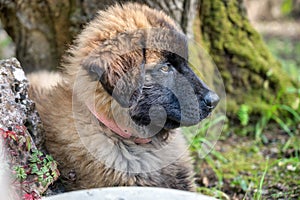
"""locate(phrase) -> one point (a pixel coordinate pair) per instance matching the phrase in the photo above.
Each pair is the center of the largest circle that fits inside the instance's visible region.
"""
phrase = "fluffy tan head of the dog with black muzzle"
(142, 63)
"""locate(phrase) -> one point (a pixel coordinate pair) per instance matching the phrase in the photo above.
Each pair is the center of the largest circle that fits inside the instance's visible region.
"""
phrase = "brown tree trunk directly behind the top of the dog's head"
(43, 29)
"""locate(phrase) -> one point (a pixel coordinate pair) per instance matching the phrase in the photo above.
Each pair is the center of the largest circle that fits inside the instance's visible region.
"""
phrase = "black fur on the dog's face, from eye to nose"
(174, 87)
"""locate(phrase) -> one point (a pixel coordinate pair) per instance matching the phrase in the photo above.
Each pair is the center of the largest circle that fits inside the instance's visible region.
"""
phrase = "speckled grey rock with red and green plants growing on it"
(22, 134)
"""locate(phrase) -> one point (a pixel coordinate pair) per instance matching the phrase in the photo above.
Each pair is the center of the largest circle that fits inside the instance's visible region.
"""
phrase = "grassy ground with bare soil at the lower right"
(244, 168)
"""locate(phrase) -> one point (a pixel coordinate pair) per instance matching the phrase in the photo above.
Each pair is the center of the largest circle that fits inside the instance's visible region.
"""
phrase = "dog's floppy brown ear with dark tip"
(119, 68)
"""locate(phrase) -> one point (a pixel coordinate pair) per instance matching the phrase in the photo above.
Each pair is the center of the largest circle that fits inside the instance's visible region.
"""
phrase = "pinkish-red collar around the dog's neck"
(111, 124)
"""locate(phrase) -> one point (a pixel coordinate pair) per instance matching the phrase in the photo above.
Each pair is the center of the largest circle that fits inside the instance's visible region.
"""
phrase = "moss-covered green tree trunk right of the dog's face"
(251, 74)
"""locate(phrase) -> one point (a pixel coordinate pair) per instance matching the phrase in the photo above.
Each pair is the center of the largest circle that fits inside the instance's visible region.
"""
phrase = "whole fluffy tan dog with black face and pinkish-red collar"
(125, 88)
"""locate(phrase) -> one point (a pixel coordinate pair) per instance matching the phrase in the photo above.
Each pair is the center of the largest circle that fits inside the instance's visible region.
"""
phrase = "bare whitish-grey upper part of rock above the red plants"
(16, 108)
